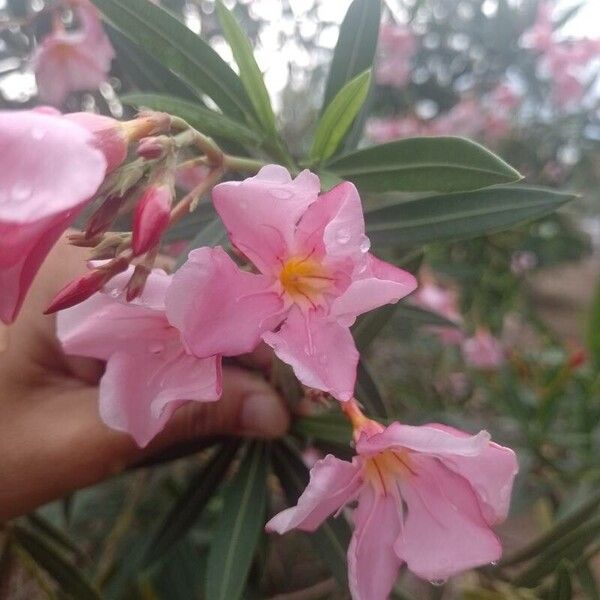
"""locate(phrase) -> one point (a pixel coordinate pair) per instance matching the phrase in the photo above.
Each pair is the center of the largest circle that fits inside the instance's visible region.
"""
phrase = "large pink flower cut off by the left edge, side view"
(50, 171)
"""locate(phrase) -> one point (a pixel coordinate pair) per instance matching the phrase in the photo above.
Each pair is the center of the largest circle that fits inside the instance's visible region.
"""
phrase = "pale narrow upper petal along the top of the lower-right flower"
(427, 439)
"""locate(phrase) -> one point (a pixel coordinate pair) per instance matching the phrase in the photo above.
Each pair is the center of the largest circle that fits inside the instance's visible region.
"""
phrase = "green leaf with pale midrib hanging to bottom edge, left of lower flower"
(237, 534)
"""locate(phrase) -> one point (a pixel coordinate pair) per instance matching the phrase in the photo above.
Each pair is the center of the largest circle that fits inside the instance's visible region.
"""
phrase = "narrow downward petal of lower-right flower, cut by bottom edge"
(372, 563)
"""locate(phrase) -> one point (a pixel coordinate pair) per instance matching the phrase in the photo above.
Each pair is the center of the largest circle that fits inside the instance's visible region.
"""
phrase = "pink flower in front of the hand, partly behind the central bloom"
(149, 373)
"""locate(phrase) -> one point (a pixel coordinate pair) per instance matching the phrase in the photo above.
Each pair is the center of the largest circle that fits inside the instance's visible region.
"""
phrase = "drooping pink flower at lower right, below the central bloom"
(427, 496)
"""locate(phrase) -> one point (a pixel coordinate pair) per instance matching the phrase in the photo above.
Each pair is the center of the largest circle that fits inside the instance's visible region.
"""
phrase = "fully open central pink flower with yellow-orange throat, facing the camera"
(315, 276)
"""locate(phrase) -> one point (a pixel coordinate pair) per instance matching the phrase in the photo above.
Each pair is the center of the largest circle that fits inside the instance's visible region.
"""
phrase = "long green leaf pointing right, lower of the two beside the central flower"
(460, 215)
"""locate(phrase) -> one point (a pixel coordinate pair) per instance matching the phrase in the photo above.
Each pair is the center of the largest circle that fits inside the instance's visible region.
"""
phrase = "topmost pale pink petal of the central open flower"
(261, 212)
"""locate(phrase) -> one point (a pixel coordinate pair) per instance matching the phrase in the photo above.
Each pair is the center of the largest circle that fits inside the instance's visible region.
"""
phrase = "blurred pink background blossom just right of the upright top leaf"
(396, 46)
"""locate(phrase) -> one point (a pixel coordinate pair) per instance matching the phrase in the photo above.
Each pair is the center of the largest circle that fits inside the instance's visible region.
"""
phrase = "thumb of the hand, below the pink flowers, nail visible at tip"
(249, 407)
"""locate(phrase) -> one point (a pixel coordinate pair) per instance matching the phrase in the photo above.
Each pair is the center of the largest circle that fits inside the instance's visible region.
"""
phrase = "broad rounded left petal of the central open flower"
(218, 308)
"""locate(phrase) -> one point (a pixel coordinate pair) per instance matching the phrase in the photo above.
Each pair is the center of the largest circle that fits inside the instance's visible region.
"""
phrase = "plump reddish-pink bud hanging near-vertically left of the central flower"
(151, 217)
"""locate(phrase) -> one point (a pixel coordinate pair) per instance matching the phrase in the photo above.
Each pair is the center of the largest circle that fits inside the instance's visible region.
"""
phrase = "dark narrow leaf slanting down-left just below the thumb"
(189, 506)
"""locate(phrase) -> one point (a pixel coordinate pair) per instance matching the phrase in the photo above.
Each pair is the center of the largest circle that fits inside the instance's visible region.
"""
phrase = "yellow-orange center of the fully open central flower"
(304, 279)
